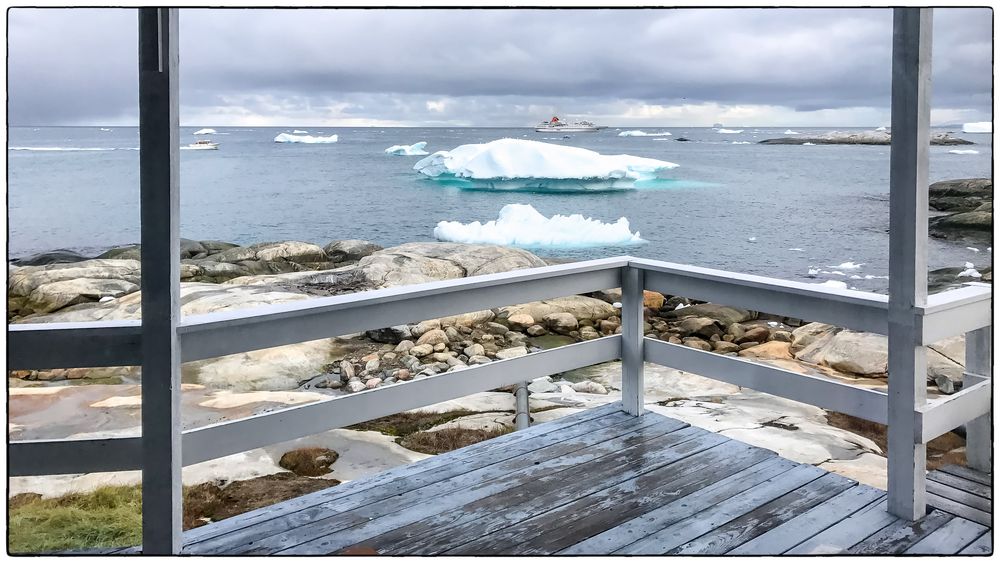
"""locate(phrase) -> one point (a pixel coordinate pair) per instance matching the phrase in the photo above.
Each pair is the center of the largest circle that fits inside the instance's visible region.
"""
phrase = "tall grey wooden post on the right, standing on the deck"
(911, 89)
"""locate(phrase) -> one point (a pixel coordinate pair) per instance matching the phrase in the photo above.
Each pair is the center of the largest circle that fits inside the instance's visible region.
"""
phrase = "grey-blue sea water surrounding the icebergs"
(738, 207)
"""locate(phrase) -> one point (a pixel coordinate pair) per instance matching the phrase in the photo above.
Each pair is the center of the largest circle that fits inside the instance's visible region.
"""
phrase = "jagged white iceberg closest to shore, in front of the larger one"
(522, 225)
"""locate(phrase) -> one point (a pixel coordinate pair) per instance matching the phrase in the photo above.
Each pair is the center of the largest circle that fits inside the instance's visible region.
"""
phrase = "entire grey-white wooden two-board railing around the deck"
(38, 346)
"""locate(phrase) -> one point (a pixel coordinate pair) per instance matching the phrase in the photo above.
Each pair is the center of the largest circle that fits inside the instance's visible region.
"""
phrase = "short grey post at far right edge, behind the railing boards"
(979, 431)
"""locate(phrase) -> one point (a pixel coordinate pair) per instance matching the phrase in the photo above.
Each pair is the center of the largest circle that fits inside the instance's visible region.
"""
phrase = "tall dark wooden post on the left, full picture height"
(159, 142)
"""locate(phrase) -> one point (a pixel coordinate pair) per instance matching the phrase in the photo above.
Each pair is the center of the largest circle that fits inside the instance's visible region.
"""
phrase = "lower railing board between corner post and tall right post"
(821, 392)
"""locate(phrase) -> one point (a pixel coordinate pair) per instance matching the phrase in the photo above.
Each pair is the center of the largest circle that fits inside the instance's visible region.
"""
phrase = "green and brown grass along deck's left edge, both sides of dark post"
(112, 516)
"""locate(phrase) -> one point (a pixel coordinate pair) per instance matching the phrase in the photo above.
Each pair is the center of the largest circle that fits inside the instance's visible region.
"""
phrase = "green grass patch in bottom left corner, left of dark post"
(106, 517)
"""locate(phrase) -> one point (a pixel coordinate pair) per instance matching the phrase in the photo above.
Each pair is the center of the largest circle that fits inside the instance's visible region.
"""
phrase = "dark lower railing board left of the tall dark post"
(61, 457)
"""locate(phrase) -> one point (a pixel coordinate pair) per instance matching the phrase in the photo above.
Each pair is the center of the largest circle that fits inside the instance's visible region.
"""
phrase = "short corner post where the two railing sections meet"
(632, 358)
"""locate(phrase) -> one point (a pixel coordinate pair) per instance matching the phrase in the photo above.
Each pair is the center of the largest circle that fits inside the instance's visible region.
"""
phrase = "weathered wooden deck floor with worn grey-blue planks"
(601, 482)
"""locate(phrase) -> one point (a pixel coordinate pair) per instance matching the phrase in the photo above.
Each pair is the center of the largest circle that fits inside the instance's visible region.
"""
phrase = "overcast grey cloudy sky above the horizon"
(694, 67)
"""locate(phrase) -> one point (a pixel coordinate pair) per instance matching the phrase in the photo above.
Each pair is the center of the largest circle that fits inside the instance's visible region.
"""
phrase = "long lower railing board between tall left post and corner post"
(225, 438)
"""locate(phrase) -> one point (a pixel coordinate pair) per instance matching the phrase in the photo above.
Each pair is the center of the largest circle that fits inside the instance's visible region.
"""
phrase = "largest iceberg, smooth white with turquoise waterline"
(519, 163)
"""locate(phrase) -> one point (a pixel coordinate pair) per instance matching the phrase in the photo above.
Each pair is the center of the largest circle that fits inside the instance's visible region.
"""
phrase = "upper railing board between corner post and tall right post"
(857, 310)
